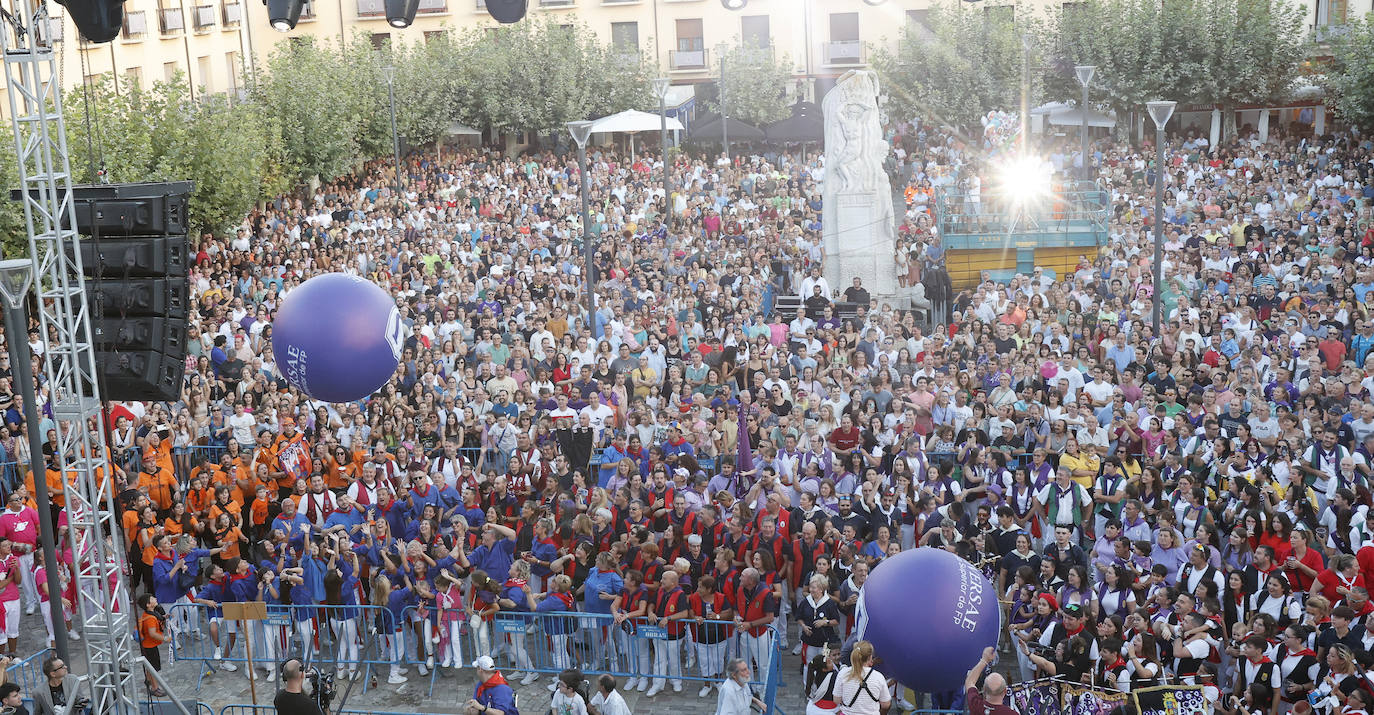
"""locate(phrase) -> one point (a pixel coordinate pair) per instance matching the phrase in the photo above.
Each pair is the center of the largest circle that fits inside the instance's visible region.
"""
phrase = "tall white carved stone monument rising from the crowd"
(858, 223)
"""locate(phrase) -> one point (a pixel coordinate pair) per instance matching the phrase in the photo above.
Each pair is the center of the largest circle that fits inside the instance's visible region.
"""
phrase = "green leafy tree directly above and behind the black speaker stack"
(161, 135)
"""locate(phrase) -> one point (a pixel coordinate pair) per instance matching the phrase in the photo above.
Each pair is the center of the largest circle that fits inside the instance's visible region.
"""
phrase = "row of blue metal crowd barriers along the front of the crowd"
(523, 643)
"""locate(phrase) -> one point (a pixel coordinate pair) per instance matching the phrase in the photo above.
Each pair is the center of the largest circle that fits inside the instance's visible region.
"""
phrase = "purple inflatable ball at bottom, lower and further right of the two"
(928, 615)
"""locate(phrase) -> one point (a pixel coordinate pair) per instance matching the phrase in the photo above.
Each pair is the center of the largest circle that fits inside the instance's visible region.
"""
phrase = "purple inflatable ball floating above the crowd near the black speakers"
(337, 338)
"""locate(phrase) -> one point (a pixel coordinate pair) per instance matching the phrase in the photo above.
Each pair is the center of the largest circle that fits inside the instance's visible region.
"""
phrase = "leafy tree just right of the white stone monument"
(958, 67)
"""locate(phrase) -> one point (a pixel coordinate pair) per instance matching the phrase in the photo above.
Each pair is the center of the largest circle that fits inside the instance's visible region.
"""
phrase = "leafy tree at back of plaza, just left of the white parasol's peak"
(539, 75)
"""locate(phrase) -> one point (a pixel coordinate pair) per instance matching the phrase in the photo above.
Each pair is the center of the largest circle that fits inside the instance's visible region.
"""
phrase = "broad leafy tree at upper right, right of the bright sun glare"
(1222, 53)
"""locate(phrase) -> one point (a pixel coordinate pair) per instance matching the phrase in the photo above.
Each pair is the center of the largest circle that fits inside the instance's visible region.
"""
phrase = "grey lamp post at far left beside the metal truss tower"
(16, 280)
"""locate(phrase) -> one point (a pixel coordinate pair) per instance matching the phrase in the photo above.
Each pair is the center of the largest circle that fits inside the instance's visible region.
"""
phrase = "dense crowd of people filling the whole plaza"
(1191, 505)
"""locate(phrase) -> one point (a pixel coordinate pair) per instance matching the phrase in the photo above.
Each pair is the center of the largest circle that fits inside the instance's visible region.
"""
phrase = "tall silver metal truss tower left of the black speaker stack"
(69, 360)
